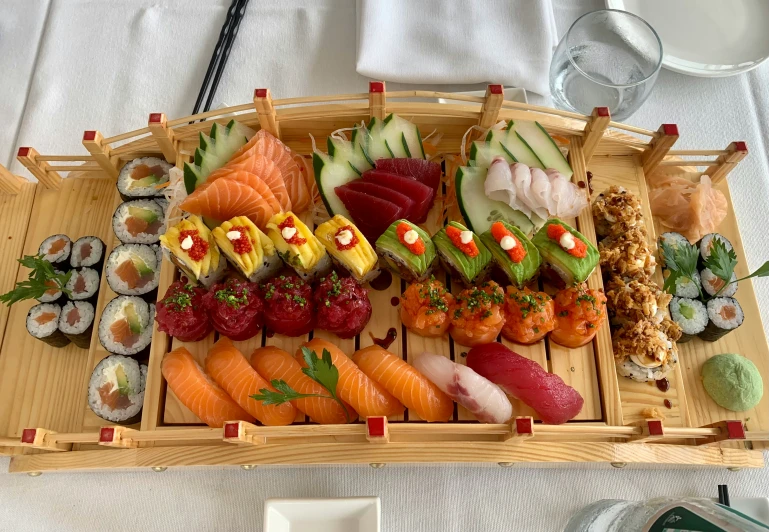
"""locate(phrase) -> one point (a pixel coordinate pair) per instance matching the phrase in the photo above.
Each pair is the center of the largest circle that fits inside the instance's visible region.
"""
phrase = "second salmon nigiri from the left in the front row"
(230, 369)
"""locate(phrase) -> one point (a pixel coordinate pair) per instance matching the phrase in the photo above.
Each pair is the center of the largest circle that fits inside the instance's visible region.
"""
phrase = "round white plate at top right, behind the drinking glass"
(708, 38)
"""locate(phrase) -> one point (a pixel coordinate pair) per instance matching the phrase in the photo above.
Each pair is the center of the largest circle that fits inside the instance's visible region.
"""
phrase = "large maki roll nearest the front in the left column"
(116, 389)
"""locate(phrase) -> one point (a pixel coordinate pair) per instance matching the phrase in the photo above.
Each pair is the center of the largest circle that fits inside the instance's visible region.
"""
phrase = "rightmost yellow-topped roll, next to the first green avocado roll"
(348, 248)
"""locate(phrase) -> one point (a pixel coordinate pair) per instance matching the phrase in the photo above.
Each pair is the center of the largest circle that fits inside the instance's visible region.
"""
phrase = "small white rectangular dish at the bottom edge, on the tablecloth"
(354, 514)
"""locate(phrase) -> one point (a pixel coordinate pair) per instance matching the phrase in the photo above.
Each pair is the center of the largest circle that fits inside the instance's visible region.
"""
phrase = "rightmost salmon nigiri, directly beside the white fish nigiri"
(403, 381)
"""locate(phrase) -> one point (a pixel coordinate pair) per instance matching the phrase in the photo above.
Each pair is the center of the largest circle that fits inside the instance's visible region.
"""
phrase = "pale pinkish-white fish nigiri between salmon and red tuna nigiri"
(483, 398)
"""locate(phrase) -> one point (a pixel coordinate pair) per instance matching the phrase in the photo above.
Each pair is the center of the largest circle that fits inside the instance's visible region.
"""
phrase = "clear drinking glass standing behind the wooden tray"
(608, 58)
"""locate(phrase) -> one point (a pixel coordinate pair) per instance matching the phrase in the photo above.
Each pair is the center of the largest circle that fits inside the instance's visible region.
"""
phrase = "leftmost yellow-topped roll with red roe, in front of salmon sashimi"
(191, 247)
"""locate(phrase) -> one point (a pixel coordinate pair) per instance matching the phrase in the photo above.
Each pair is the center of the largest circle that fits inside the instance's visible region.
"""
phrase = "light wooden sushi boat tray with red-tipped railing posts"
(46, 424)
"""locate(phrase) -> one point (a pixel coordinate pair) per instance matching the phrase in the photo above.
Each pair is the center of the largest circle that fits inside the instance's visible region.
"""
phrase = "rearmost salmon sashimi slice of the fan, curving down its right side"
(264, 143)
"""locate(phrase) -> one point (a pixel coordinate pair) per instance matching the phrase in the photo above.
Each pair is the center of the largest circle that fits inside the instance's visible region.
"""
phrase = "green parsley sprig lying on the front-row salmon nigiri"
(321, 370)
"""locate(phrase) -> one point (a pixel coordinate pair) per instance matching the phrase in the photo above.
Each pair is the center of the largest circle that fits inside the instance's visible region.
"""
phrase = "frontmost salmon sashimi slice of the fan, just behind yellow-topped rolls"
(226, 198)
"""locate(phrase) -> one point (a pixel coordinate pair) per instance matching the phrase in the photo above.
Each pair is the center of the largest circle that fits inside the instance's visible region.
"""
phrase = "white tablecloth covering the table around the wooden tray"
(82, 64)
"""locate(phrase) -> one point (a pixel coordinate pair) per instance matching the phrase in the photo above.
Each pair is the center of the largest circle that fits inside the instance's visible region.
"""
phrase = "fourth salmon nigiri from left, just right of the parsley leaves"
(366, 396)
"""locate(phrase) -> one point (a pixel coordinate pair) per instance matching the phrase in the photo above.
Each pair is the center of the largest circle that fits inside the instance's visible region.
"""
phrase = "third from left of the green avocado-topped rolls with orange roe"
(513, 252)
